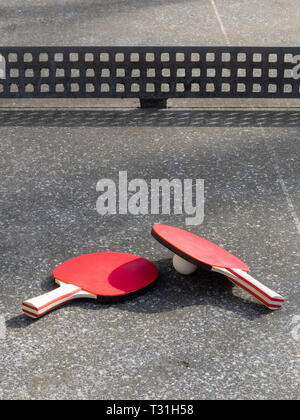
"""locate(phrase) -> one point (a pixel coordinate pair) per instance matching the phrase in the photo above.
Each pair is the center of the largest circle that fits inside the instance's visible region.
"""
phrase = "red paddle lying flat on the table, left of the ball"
(105, 276)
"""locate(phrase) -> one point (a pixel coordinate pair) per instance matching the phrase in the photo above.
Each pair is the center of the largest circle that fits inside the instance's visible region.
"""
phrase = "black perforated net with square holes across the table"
(149, 73)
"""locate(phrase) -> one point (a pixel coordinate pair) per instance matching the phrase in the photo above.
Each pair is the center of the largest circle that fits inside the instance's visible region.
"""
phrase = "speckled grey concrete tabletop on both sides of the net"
(194, 337)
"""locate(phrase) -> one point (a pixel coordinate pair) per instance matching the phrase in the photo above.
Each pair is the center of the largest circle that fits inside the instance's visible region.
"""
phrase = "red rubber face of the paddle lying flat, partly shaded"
(107, 273)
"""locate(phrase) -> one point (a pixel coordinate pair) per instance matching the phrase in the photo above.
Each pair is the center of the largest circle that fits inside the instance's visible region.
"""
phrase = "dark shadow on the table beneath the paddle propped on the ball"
(205, 288)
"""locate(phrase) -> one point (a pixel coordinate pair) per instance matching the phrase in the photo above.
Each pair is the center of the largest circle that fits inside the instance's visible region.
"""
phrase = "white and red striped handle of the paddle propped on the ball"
(261, 292)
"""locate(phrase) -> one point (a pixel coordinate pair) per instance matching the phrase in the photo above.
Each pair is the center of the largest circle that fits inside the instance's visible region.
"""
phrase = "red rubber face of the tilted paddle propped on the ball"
(194, 247)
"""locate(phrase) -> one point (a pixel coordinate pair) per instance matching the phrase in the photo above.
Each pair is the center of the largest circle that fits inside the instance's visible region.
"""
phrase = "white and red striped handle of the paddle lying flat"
(40, 305)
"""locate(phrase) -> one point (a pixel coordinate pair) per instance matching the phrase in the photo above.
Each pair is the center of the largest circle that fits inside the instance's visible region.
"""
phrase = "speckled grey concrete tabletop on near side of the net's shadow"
(190, 337)
